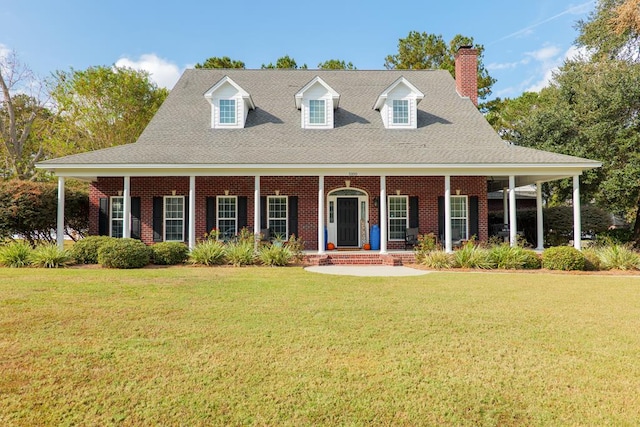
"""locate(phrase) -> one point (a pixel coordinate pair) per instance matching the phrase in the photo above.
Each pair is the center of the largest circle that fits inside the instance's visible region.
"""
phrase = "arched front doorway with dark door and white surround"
(348, 217)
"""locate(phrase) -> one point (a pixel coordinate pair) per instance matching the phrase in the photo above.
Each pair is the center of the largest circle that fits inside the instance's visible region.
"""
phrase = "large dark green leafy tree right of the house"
(593, 111)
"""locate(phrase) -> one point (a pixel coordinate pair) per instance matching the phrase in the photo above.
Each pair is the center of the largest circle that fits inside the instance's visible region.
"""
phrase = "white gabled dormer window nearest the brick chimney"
(398, 105)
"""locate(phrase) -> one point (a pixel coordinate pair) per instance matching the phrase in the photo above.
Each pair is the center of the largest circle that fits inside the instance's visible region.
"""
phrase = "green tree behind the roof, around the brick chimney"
(419, 51)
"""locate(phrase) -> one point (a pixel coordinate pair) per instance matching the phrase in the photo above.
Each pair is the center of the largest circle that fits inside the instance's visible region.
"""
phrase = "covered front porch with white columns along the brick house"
(337, 206)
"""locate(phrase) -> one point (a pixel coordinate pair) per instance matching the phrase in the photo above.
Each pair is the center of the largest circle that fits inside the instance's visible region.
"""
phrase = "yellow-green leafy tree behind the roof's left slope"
(103, 106)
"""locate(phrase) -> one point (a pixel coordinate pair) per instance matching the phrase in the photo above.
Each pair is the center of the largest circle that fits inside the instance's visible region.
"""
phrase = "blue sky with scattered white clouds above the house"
(524, 39)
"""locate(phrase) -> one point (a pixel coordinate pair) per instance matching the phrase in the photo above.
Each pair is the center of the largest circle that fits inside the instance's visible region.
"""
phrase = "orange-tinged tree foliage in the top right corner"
(612, 30)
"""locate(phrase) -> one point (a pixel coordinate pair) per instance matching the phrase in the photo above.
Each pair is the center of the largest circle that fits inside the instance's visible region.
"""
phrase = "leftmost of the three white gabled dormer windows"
(230, 104)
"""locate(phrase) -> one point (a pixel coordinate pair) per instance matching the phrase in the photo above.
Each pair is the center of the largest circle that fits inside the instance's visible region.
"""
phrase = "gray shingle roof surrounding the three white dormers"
(450, 129)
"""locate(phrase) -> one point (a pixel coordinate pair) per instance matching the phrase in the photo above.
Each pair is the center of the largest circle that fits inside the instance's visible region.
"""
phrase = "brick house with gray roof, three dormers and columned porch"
(304, 151)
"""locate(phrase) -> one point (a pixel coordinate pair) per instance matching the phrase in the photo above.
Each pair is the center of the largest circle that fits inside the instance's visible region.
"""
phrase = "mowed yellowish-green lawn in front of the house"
(281, 346)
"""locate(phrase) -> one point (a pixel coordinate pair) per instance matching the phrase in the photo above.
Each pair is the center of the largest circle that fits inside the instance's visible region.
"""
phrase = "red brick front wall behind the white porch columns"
(427, 189)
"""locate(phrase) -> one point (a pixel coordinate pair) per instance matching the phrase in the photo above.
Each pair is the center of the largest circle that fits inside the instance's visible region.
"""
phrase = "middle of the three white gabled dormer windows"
(317, 102)
